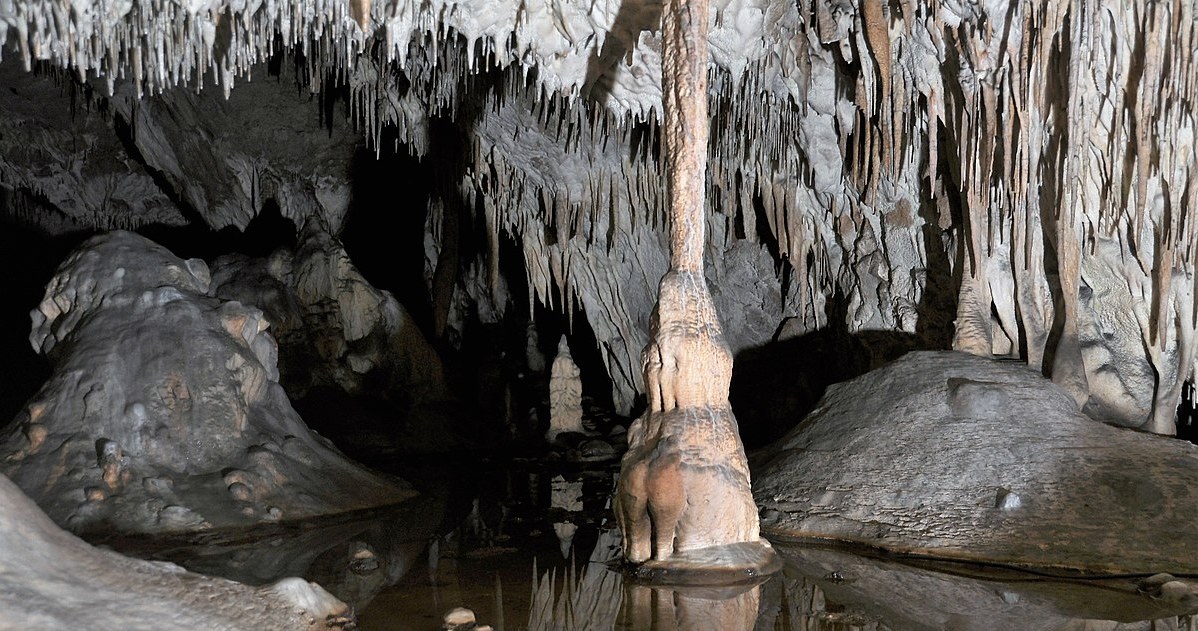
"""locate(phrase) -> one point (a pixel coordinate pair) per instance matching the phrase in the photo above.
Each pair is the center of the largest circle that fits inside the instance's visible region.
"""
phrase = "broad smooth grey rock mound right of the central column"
(969, 458)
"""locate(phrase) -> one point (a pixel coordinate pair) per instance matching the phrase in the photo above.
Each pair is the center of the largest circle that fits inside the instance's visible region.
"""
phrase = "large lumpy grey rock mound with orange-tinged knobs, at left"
(164, 411)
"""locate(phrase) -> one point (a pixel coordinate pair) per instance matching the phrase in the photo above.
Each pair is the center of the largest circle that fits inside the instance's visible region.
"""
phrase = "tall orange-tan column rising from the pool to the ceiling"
(683, 501)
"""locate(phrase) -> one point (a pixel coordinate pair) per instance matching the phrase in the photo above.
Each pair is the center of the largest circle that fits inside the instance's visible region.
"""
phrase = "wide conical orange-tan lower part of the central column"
(685, 501)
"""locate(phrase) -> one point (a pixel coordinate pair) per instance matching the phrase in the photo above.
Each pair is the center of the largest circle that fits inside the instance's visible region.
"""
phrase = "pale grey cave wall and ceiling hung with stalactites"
(1033, 161)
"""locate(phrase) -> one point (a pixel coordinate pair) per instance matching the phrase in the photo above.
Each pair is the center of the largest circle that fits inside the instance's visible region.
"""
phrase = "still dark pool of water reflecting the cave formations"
(488, 536)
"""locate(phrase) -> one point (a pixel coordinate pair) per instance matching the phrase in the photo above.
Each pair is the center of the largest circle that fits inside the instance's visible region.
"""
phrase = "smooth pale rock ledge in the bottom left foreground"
(52, 580)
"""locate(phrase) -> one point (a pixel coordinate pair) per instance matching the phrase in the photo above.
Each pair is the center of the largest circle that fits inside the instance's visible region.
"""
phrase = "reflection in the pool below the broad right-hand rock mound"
(844, 591)
